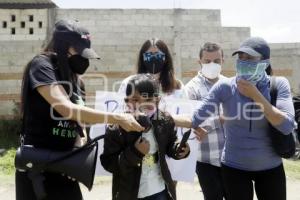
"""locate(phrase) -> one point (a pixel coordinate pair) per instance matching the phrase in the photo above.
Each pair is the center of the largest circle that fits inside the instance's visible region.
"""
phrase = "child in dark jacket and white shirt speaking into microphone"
(137, 160)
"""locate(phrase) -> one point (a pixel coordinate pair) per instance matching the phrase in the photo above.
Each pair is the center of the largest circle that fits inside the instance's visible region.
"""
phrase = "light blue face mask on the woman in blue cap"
(252, 71)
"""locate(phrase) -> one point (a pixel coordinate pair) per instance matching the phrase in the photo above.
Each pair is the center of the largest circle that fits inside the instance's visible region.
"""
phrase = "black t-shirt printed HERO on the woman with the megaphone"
(43, 126)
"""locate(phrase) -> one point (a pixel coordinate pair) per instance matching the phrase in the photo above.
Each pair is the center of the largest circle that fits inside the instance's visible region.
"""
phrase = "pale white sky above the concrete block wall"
(278, 21)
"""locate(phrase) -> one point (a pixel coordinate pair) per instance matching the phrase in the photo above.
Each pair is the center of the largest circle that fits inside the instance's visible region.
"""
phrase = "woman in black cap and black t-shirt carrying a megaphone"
(53, 108)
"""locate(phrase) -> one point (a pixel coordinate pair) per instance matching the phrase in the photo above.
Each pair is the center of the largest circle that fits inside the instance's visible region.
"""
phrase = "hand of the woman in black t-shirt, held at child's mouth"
(128, 123)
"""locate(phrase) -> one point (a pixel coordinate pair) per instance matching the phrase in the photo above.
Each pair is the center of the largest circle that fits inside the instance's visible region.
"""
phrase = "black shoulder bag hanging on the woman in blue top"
(284, 145)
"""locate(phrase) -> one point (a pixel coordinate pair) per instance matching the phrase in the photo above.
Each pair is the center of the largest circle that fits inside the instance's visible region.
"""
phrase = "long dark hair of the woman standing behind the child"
(167, 77)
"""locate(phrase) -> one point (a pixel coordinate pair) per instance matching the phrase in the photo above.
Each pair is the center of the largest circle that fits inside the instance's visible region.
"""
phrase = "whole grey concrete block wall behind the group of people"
(117, 36)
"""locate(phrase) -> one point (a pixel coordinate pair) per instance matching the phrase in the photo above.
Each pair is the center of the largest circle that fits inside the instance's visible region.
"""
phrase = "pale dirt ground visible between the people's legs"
(102, 190)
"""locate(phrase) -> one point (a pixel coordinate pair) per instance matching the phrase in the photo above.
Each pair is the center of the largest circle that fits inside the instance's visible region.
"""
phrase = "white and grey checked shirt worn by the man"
(210, 148)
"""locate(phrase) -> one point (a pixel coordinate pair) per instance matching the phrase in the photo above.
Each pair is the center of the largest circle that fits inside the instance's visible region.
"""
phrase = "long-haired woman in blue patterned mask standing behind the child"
(155, 58)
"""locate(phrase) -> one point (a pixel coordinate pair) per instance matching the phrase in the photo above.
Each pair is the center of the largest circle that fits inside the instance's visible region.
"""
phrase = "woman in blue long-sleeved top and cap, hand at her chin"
(248, 155)
